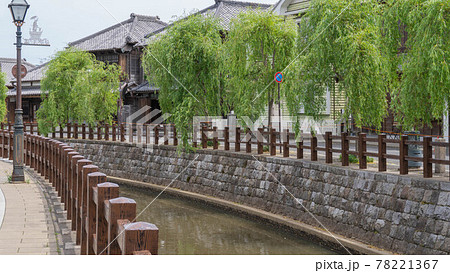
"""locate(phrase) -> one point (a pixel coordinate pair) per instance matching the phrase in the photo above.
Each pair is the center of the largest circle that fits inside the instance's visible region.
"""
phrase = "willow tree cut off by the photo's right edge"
(419, 54)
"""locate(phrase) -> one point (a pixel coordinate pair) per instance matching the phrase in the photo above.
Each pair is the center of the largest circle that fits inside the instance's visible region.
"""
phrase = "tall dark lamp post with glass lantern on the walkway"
(19, 10)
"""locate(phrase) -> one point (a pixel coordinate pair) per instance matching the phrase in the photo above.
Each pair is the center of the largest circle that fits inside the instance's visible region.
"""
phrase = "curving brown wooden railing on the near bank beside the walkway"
(103, 221)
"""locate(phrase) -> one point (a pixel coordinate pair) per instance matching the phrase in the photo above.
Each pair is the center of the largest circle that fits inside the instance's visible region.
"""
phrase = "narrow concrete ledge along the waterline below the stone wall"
(323, 235)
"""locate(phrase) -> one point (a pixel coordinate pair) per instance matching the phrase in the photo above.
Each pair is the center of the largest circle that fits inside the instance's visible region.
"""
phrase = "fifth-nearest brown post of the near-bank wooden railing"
(84, 205)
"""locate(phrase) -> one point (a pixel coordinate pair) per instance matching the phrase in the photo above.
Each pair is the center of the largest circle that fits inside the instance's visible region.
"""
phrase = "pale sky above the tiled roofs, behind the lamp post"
(64, 21)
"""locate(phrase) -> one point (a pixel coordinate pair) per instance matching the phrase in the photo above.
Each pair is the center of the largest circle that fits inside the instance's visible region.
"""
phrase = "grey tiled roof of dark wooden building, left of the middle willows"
(128, 32)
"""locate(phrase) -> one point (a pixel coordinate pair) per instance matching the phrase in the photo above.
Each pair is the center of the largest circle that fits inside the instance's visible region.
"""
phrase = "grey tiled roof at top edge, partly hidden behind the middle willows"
(225, 11)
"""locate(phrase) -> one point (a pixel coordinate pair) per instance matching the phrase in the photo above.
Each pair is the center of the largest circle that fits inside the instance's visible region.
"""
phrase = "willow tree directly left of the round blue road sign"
(259, 44)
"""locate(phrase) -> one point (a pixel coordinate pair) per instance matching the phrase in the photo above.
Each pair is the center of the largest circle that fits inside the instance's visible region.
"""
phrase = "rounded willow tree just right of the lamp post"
(78, 88)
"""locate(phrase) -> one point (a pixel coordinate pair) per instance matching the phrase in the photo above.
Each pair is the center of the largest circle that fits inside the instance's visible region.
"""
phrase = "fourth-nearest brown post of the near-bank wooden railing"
(91, 217)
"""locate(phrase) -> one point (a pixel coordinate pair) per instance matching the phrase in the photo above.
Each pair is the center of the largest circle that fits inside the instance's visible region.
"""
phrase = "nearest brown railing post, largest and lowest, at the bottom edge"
(136, 237)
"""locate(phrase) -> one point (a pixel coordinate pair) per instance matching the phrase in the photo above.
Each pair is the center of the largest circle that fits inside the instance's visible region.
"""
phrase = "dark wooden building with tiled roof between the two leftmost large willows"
(122, 44)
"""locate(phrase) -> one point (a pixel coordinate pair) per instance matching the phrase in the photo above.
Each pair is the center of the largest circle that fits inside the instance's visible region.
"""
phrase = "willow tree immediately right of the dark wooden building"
(186, 63)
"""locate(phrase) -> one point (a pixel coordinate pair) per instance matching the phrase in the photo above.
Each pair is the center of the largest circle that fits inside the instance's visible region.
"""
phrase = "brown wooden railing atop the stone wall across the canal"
(269, 139)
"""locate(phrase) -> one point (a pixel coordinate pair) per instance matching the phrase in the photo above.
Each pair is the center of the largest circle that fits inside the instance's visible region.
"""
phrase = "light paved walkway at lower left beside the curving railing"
(26, 225)
